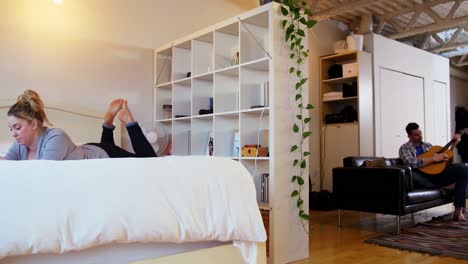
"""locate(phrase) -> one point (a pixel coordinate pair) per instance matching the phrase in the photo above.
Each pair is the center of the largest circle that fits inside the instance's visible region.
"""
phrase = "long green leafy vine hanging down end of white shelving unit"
(297, 20)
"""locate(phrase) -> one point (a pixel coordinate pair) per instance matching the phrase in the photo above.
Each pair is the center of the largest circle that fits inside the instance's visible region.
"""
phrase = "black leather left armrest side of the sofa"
(379, 190)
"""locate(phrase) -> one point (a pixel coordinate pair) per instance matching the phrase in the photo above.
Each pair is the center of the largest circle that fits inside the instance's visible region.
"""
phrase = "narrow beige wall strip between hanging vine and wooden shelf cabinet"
(321, 40)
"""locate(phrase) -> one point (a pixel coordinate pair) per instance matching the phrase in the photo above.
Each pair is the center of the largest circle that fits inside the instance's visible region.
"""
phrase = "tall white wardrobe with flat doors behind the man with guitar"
(410, 85)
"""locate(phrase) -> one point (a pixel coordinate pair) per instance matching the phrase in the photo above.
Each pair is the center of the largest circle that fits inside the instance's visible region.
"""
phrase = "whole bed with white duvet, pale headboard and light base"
(152, 210)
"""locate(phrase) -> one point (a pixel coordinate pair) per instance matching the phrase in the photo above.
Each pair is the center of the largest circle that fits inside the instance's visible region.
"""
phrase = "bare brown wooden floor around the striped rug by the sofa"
(329, 244)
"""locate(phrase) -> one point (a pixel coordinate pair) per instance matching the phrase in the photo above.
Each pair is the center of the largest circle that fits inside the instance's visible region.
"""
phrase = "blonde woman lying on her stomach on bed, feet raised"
(33, 140)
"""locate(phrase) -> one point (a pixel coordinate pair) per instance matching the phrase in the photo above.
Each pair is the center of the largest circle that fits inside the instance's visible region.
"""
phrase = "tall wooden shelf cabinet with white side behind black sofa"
(346, 106)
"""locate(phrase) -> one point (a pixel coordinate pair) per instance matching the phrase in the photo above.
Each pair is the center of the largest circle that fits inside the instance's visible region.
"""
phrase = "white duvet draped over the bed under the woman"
(59, 206)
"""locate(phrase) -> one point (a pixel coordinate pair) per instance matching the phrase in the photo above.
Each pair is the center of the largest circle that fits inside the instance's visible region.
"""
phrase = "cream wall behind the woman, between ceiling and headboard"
(75, 72)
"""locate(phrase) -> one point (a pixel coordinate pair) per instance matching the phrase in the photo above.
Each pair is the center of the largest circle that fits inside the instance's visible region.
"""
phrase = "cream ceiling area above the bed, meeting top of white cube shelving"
(140, 23)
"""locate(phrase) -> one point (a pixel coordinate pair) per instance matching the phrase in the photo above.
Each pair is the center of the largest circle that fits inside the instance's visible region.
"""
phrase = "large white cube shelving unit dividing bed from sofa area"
(238, 70)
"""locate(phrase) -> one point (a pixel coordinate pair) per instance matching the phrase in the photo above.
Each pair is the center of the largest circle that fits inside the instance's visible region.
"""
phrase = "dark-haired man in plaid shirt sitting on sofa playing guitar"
(410, 153)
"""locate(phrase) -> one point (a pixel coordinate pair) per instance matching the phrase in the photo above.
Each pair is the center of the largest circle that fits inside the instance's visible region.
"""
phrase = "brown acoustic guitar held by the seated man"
(438, 167)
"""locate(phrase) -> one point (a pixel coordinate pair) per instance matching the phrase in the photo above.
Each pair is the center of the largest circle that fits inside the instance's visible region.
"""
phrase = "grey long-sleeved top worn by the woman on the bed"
(55, 144)
